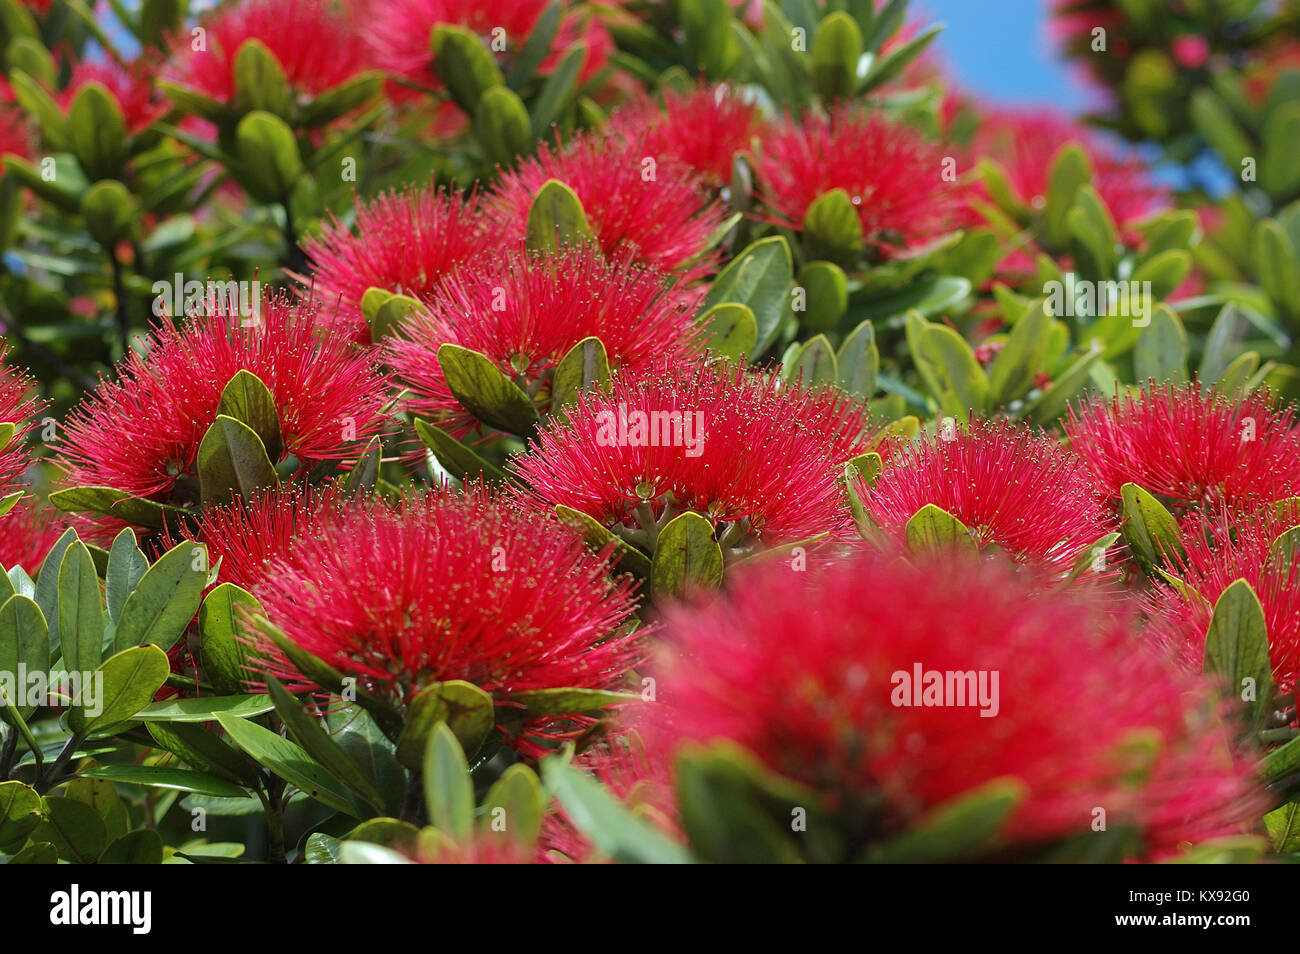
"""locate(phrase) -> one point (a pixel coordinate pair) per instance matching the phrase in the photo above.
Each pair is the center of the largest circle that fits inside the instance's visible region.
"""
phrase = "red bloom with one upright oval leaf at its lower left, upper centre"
(658, 211)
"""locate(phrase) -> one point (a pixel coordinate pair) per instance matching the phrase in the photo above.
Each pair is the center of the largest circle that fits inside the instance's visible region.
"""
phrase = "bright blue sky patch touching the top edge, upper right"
(1000, 49)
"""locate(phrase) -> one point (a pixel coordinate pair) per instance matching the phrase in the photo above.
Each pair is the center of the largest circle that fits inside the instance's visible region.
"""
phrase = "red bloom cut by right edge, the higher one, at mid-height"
(1201, 452)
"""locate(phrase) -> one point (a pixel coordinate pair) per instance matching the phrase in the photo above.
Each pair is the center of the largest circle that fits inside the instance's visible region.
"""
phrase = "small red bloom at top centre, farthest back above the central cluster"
(704, 129)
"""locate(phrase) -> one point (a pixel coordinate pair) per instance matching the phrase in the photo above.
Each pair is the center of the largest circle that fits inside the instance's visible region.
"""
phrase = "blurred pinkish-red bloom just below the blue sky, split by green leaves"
(1025, 142)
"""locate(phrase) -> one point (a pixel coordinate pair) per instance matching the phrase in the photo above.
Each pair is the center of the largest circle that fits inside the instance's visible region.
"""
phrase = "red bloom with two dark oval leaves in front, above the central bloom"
(526, 314)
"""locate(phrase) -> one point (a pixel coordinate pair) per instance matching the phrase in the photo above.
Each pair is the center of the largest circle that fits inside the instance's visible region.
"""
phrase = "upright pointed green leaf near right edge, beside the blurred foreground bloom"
(1237, 648)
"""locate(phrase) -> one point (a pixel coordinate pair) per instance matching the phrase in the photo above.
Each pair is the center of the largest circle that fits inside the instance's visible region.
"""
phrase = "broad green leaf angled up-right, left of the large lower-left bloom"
(166, 600)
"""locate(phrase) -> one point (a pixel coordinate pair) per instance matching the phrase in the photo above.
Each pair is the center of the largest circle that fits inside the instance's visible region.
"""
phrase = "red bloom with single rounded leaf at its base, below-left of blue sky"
(891, 174)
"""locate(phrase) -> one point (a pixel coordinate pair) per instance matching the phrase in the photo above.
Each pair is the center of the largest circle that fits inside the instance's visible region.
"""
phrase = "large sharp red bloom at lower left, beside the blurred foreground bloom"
(453, 588)
